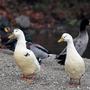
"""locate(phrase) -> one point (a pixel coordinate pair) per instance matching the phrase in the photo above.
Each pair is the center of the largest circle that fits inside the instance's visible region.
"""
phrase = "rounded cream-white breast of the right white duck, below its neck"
(74, 65)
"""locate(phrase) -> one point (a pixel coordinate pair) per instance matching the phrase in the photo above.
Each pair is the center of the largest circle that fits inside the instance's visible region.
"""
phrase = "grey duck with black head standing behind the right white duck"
(80, 42)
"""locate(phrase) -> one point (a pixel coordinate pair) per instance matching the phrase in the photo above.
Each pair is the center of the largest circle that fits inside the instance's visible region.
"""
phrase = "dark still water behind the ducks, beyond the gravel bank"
(48, 39)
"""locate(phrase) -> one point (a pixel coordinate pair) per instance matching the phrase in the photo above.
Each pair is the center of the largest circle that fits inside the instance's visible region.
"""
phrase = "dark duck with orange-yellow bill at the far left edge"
(5, 26)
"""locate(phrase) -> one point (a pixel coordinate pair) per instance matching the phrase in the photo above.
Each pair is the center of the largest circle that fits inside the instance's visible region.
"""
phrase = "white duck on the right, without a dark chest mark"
(74, 63)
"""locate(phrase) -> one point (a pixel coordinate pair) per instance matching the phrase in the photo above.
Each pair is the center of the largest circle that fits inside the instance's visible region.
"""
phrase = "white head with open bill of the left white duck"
(15, 34)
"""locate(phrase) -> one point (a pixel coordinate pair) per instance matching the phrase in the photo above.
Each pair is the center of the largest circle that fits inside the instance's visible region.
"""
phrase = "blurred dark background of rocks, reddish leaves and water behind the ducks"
(44, 21)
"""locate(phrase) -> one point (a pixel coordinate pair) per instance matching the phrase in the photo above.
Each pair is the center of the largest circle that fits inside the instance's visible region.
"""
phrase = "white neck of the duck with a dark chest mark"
(21, 42)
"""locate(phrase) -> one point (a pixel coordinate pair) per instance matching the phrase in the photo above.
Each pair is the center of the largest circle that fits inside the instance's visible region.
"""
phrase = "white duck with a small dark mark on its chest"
(25, 58)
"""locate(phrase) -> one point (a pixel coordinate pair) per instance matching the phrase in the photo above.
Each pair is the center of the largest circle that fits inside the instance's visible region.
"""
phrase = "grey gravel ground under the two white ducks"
(51, 77)
